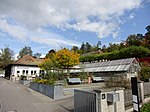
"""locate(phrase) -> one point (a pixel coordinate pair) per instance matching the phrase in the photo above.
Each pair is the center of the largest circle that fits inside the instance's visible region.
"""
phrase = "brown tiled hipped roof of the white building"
(29, 60)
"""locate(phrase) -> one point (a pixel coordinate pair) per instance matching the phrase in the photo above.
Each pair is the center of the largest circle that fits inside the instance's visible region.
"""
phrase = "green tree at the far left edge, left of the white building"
(6, 57)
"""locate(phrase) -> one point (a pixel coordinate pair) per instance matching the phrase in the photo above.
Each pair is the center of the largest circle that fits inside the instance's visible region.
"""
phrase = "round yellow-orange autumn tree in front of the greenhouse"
(66, 59)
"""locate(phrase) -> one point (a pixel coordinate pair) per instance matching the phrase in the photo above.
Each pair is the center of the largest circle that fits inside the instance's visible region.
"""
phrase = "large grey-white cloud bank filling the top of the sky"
(59, 13)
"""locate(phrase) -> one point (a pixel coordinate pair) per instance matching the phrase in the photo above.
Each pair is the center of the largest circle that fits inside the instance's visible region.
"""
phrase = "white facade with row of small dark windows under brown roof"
(32, 71)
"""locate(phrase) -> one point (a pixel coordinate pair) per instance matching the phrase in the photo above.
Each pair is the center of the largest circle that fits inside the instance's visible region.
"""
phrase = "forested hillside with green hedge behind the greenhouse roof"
(136, 45)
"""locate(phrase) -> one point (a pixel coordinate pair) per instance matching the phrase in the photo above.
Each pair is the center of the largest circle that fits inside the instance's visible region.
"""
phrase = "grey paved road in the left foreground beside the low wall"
(17, 97)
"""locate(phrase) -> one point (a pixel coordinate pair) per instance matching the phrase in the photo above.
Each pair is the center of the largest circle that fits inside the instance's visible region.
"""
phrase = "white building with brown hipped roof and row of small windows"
(26, 66)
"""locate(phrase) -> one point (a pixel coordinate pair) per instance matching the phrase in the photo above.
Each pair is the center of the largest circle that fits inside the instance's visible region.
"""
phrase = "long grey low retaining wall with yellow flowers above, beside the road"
(55, 92)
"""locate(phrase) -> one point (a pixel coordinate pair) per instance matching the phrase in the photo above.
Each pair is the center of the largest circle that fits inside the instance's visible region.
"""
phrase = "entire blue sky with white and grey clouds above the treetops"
(53, 24)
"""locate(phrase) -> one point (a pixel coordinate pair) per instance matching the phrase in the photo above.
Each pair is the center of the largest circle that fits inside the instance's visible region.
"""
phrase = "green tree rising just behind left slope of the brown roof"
(24, 51)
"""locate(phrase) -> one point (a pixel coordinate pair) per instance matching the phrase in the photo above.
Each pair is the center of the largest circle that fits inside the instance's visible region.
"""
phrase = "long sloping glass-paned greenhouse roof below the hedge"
(108, 66)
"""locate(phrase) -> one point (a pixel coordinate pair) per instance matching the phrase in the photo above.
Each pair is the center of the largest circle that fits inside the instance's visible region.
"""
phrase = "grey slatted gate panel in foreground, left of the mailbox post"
(84, 101)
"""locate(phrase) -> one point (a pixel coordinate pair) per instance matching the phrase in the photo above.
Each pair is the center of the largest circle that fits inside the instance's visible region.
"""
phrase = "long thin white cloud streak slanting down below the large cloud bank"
(36, 35)
